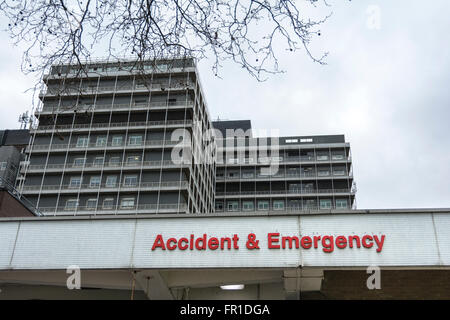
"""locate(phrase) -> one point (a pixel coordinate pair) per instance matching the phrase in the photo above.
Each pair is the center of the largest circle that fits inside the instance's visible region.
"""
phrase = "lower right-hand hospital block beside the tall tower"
(301, 173)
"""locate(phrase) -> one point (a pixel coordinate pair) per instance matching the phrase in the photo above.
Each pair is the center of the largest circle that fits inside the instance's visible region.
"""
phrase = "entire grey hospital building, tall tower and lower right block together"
(109, 139)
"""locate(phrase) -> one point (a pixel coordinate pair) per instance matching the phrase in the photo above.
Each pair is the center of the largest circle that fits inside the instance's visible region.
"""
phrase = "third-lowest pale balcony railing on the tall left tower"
(105, 166)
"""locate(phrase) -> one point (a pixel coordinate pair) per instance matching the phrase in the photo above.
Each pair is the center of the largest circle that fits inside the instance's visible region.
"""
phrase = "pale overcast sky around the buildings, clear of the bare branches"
(385, 86)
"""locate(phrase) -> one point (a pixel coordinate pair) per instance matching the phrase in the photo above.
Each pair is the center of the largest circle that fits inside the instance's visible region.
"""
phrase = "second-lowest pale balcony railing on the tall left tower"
(108, 187)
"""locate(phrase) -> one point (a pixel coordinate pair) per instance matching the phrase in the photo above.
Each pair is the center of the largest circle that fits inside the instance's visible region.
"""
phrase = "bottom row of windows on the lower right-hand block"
(262, 205)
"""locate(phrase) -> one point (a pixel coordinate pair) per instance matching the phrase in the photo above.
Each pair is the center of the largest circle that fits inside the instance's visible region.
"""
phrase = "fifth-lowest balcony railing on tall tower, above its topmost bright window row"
(114, 125)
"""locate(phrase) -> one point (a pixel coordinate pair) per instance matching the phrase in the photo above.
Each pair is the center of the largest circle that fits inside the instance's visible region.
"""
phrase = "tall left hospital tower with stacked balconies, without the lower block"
(105, 137)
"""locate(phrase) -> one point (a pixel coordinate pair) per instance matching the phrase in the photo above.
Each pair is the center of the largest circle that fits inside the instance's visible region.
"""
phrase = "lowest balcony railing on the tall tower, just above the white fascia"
(142, 208)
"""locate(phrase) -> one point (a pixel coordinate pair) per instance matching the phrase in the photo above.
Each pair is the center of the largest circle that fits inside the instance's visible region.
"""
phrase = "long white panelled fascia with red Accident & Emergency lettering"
(389, 238)
